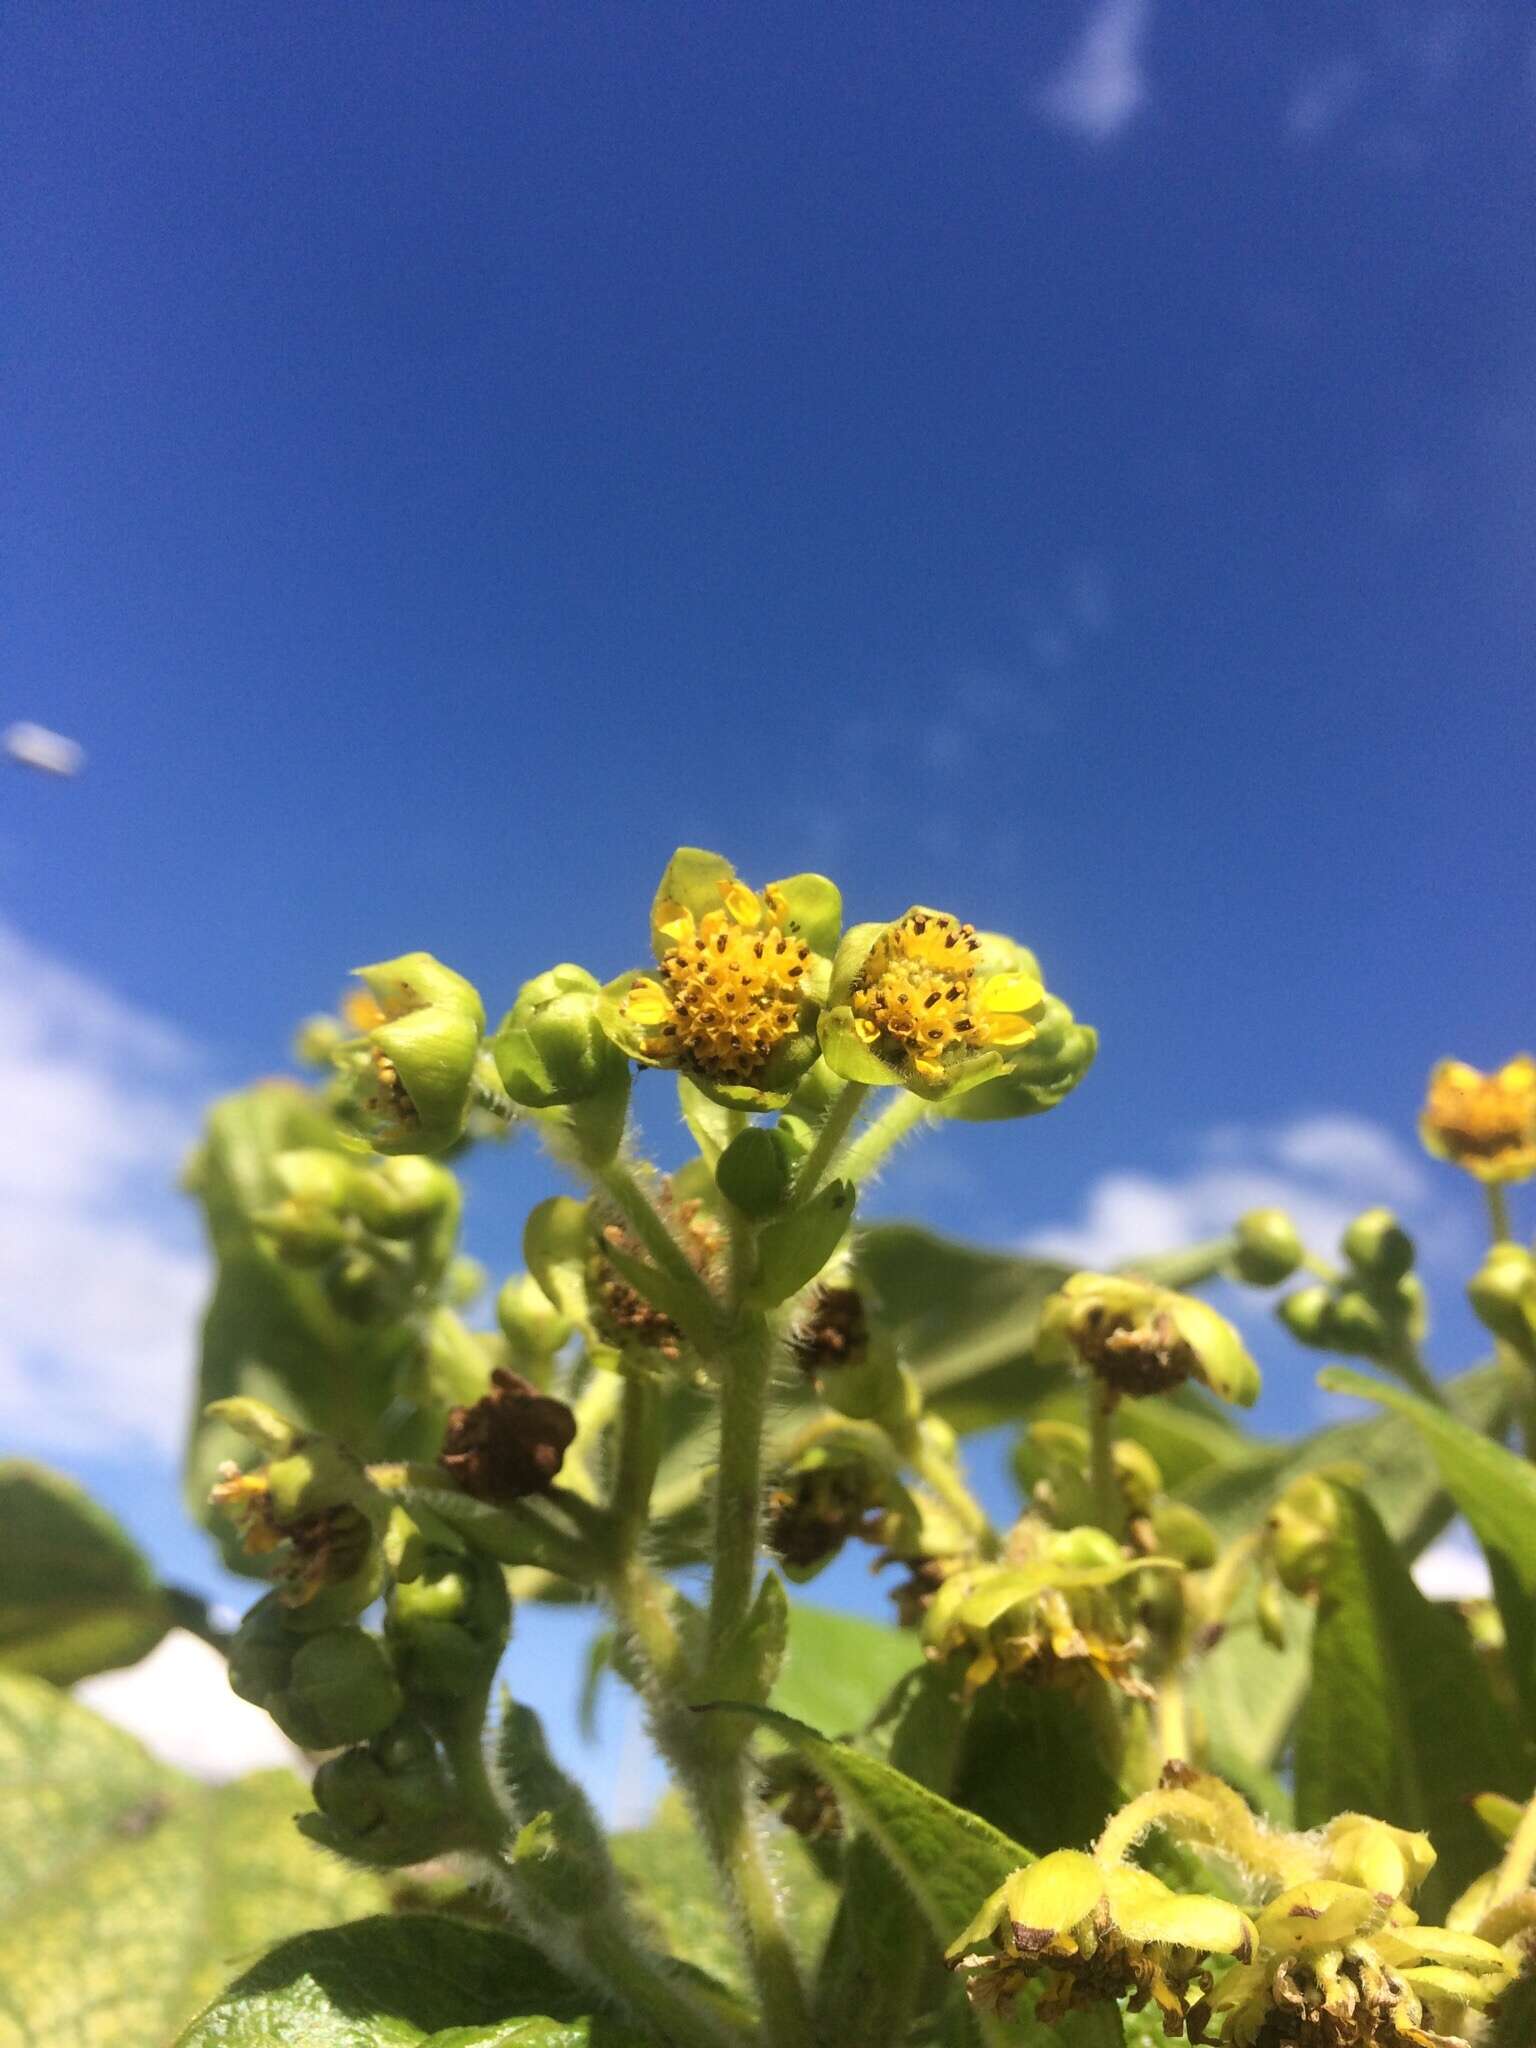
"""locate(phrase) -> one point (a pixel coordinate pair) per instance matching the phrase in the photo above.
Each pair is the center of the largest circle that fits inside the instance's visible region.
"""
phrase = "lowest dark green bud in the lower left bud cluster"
(390, 1803)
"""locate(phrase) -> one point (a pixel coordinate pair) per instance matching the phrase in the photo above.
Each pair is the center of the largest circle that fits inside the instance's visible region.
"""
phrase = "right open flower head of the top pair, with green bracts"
(929, 1005)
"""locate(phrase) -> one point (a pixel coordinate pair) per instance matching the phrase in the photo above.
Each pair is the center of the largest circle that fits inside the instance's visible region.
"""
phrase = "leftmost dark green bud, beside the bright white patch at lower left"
(325, 1691)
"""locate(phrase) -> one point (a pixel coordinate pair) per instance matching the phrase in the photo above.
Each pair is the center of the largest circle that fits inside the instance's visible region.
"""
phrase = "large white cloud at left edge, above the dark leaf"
(99, 1281)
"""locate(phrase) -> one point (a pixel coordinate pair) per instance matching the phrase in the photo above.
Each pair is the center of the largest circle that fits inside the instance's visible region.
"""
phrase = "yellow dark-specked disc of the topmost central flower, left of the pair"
(730, 988)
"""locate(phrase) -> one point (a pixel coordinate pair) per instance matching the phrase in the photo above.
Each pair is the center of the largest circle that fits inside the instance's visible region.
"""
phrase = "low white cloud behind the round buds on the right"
(1324, 1170)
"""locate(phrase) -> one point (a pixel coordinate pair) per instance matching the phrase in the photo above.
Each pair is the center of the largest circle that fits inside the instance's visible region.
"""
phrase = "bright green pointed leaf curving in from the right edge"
(1498, 1494)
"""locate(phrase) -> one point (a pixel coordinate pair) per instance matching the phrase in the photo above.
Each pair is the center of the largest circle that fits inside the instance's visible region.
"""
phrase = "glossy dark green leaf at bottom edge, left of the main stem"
(396, 1983)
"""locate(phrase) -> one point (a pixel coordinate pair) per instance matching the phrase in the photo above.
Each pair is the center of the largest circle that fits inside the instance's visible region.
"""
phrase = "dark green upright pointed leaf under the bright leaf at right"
(1400, 1719)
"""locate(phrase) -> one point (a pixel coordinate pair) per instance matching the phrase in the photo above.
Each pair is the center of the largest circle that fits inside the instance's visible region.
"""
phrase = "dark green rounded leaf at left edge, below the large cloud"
(75, 1592)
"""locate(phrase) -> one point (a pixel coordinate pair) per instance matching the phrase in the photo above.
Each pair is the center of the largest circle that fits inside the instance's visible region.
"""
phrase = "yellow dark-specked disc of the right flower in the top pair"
(923, 994)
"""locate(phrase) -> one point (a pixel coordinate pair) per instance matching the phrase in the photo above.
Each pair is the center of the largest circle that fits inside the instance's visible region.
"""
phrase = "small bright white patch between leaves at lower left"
(179, 1705)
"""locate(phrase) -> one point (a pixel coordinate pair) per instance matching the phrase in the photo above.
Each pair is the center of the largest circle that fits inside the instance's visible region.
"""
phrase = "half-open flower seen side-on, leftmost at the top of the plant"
(415, 1070)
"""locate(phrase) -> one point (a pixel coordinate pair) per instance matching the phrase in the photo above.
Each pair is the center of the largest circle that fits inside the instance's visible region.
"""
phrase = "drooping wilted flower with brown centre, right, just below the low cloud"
(1142, 1340)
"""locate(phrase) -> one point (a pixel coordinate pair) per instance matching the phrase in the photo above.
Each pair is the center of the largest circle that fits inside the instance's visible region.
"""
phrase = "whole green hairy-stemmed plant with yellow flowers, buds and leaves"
(1181, 1752)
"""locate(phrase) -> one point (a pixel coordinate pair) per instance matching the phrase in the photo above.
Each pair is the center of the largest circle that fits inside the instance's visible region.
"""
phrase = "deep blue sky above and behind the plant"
(1068, 464)
